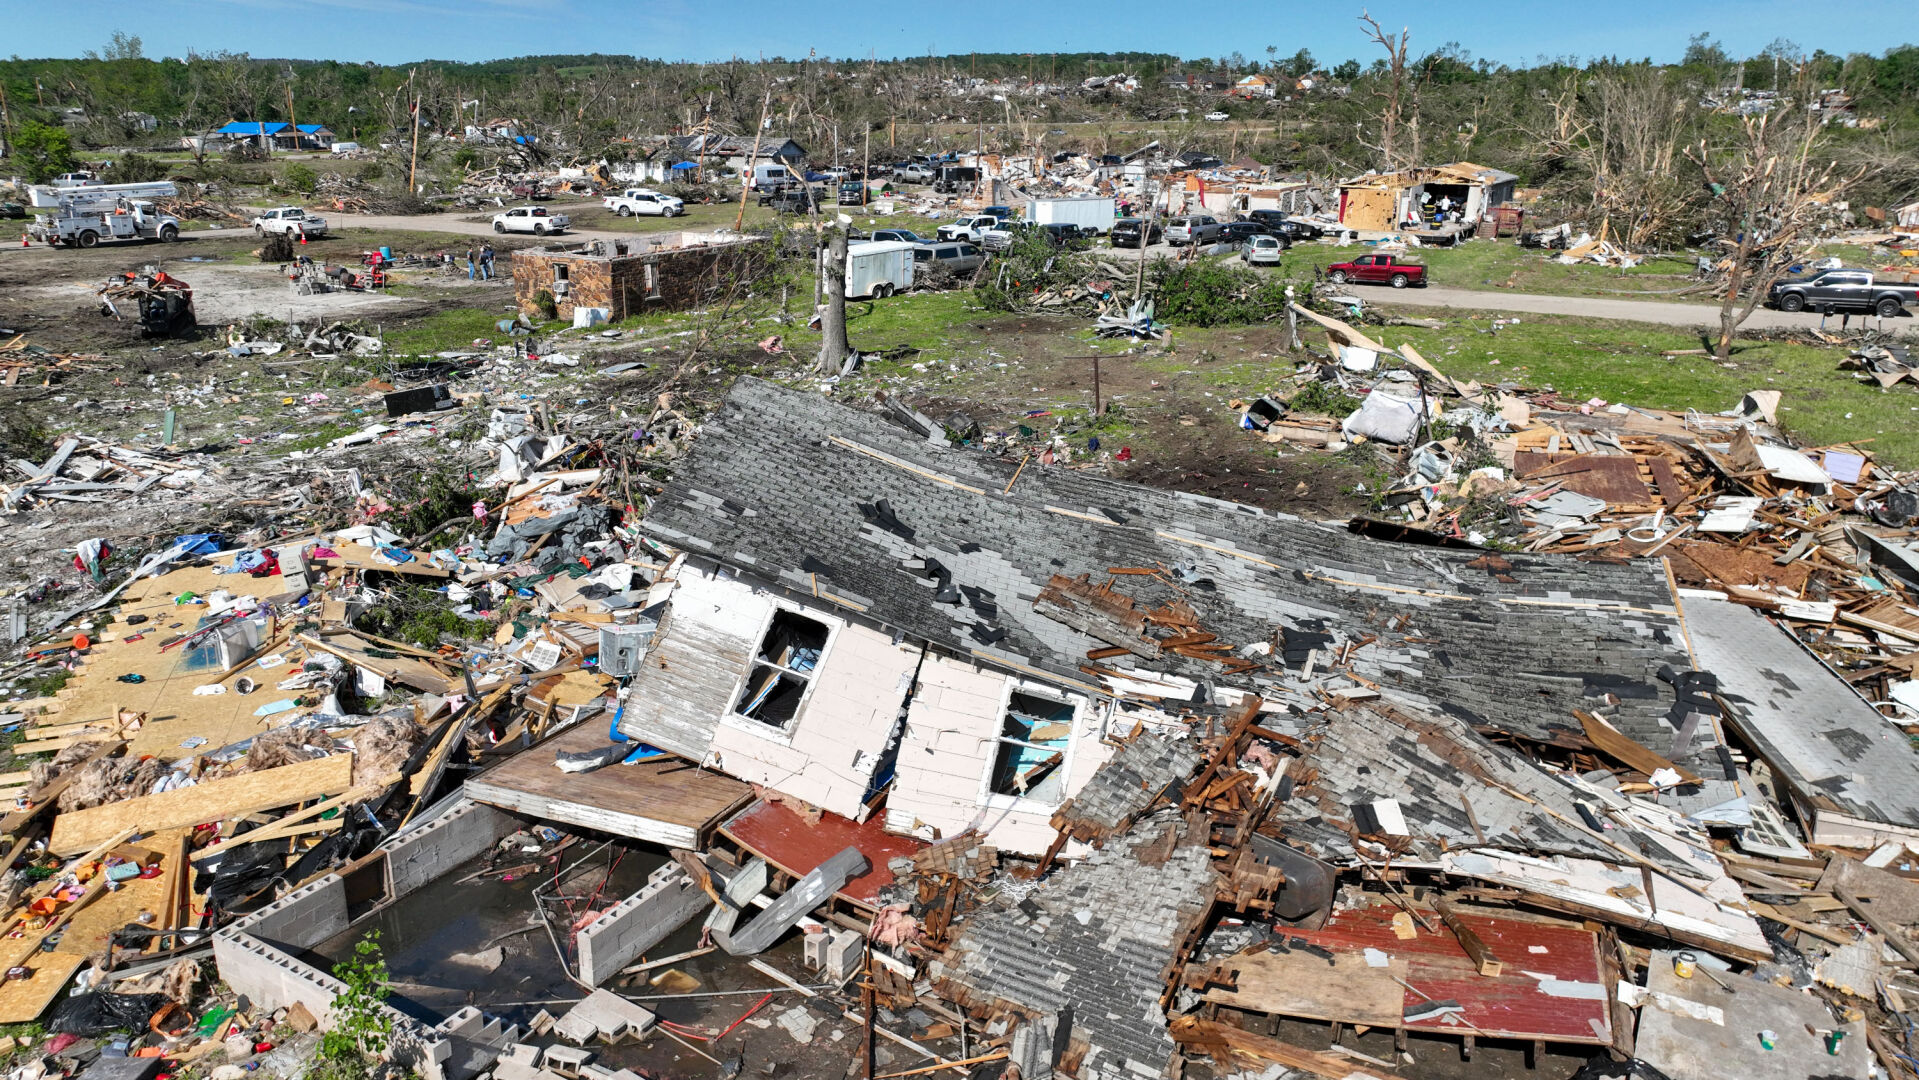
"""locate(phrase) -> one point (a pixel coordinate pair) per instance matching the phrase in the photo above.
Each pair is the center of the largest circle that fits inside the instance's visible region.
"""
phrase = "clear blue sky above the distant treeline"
(394, 32)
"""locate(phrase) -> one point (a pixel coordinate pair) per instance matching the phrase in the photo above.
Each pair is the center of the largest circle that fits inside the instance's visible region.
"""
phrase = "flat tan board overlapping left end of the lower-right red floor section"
(1304, 985)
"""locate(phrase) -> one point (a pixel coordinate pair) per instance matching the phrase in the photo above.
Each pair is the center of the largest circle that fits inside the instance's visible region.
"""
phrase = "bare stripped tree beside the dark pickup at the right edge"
(1768, 191)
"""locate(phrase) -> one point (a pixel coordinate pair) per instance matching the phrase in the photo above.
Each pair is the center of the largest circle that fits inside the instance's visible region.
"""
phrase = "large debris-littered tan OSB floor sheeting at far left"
(168, 693)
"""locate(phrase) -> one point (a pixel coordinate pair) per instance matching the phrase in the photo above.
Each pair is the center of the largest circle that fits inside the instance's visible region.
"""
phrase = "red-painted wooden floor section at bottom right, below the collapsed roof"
(1511, 1004)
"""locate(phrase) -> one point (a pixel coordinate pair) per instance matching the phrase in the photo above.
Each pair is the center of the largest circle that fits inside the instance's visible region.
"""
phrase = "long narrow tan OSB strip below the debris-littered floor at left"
(210, 801)
